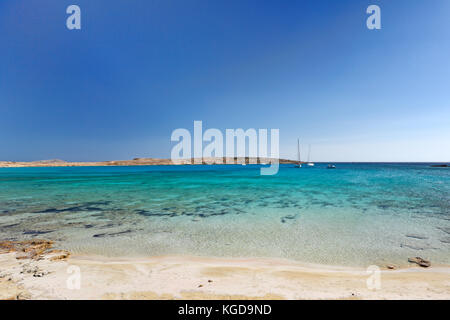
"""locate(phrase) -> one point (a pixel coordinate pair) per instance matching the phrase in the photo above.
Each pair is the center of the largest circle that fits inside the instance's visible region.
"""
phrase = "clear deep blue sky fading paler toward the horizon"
(139, 69)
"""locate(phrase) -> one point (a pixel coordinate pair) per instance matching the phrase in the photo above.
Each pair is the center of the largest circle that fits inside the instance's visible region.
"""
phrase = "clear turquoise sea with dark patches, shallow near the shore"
(357, 215)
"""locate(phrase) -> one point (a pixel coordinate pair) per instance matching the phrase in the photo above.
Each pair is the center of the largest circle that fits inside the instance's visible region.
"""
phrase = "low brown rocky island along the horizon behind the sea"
(138, 162)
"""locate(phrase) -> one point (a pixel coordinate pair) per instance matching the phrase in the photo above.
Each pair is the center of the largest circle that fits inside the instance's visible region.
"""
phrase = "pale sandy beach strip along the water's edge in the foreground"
(54, 276)
